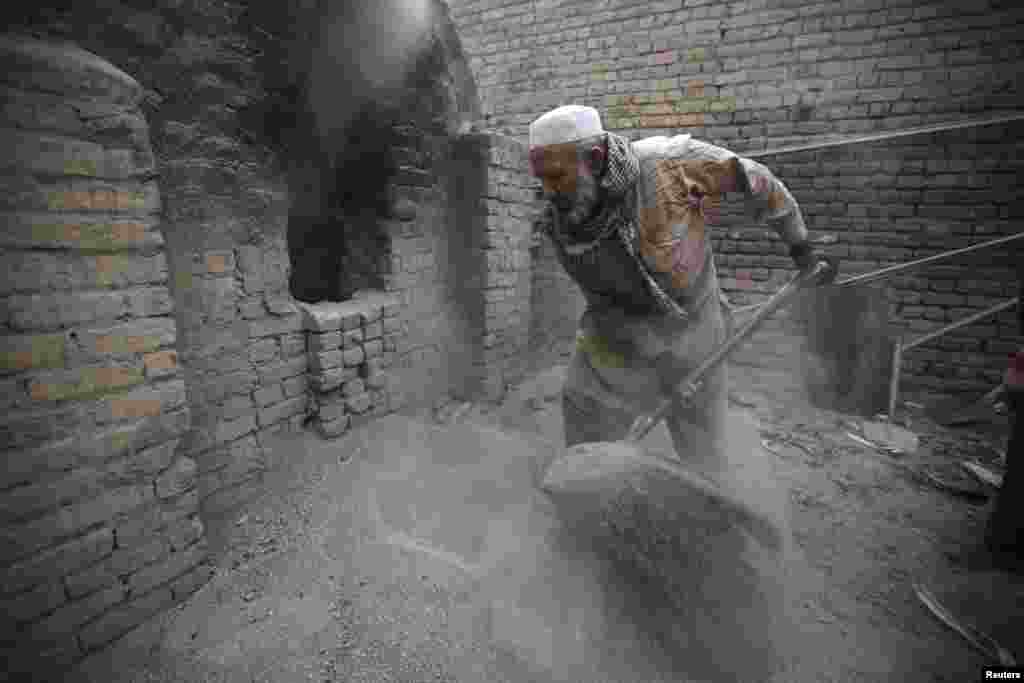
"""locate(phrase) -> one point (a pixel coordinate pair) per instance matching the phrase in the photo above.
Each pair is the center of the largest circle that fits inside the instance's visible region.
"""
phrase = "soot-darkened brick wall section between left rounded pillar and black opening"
(225, 219)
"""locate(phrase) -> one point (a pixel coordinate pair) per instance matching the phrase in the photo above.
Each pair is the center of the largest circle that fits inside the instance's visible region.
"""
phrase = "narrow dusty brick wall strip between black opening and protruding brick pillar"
(435, 276)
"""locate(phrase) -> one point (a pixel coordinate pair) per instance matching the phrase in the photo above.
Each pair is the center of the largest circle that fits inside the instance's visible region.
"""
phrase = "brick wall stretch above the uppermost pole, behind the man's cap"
(744, 72)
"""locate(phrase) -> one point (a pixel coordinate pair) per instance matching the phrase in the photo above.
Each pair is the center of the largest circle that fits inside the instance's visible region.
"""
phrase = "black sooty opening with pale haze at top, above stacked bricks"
(345, 92)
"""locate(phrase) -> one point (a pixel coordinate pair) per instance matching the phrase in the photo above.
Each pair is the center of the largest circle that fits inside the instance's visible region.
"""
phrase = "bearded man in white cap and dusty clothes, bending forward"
(628, 223)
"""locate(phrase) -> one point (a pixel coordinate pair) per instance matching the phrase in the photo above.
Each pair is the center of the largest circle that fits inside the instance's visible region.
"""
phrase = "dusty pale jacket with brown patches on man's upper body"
(650, 251)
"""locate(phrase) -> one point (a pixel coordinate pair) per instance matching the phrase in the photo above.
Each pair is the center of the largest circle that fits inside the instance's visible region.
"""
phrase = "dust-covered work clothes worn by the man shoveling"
(651, 284)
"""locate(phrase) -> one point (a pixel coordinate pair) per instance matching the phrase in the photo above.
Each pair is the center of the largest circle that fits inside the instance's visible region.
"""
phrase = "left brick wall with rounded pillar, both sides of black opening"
(167, 344)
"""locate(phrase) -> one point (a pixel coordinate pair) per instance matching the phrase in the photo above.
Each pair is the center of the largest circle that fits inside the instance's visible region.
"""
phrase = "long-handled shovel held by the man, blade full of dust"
(594, 473)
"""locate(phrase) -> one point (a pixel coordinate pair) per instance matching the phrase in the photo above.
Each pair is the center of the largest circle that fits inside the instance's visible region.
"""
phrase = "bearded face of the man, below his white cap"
(568, 180)
